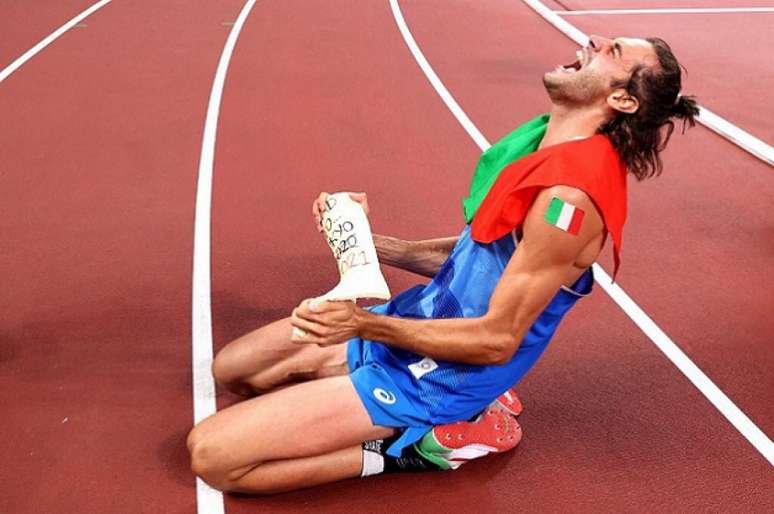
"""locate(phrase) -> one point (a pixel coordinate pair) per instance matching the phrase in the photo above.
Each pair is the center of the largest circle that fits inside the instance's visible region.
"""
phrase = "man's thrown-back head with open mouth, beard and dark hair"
(635, 83)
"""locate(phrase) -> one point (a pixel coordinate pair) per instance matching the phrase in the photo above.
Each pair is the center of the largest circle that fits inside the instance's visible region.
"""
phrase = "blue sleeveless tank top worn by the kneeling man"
(451, 391)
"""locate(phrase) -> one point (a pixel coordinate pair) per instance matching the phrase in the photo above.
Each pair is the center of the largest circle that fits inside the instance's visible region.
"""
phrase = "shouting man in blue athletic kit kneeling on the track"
(395, 387)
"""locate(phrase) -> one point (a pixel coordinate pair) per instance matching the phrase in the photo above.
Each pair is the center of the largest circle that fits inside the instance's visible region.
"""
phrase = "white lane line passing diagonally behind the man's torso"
(737, 418)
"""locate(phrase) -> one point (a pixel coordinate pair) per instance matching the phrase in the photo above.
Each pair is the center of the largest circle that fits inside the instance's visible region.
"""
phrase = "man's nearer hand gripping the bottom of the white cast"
(325, 322)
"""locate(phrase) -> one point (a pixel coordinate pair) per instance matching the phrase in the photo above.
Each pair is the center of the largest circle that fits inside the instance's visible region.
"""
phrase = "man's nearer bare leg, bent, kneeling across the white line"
(300, 436)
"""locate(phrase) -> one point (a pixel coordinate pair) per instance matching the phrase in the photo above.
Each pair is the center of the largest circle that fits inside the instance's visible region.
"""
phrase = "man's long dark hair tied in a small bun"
(640, 137)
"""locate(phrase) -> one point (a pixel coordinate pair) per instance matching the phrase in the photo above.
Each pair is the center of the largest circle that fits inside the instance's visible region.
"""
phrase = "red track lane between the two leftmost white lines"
(101, 138)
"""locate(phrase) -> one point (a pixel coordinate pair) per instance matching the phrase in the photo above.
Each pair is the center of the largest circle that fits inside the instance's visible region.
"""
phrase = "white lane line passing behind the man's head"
(739, 137)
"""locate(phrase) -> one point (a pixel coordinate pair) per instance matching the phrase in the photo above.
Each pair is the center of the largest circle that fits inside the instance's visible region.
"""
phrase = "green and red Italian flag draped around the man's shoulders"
(512, 172)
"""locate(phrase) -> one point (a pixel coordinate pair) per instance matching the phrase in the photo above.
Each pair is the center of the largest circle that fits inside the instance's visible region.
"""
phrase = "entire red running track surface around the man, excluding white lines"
(101, 136)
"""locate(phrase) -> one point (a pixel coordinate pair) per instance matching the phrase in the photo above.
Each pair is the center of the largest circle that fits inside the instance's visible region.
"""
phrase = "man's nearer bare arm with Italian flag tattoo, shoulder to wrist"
(544, 260)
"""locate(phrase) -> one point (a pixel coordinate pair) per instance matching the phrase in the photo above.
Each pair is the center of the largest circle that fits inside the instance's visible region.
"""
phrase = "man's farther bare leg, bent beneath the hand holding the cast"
(264, 359)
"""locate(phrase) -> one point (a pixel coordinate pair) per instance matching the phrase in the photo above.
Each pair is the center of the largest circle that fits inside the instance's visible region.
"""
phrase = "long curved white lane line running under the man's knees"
(209, 501)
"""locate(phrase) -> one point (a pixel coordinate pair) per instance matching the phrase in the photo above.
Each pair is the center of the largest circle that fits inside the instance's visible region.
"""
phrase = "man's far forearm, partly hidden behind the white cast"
(421, 257)
